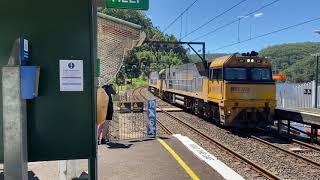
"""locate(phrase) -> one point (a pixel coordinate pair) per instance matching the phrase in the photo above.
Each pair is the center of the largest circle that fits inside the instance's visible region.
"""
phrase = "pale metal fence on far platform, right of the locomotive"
(291, 96)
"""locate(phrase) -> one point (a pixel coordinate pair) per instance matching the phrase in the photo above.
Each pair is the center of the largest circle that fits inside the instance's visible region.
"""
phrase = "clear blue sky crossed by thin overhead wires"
(279, 15)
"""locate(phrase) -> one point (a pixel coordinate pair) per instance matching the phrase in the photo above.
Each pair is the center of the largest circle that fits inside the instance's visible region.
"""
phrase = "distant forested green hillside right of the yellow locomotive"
(294, 60)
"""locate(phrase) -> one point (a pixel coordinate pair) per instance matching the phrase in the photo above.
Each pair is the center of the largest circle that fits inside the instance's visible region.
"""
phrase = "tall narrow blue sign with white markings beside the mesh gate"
(152, 119)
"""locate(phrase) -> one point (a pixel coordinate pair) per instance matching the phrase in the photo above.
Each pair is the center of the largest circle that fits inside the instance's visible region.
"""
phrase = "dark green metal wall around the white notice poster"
(60, 124)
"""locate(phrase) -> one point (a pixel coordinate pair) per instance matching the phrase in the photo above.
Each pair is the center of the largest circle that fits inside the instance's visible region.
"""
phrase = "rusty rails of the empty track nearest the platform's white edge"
(258, 169)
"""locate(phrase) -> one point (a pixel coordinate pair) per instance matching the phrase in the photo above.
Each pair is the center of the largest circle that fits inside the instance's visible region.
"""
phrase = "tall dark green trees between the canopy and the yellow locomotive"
(150, 56)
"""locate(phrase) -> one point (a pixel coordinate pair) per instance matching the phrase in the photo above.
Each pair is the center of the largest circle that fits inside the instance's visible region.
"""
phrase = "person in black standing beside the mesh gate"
(110, 91)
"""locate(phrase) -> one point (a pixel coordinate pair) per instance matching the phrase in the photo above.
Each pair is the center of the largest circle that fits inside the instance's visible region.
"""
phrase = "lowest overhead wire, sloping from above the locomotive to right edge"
(269, 33)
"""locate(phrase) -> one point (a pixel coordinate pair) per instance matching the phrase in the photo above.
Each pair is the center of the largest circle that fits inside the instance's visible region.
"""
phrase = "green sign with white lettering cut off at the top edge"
(128, 4)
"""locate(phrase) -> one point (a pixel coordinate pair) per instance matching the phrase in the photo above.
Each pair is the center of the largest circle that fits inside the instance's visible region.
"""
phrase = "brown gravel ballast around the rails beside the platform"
(281, 164)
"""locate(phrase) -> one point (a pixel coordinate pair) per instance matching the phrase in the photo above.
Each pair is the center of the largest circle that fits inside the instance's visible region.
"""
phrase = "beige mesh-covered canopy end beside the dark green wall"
(115, 37)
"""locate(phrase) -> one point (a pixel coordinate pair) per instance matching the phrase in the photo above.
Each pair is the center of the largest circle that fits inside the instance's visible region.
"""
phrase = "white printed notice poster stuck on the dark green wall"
(71, 75)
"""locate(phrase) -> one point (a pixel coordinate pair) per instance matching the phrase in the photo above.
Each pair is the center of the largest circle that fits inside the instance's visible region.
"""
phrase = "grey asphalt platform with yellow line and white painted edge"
(163, 158)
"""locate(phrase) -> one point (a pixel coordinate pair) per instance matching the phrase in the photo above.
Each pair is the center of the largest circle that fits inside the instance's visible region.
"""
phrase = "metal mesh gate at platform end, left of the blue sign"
(129, 121)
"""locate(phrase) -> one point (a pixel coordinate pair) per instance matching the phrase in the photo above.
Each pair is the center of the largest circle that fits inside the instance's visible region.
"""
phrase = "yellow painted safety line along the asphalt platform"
(179, 160)
